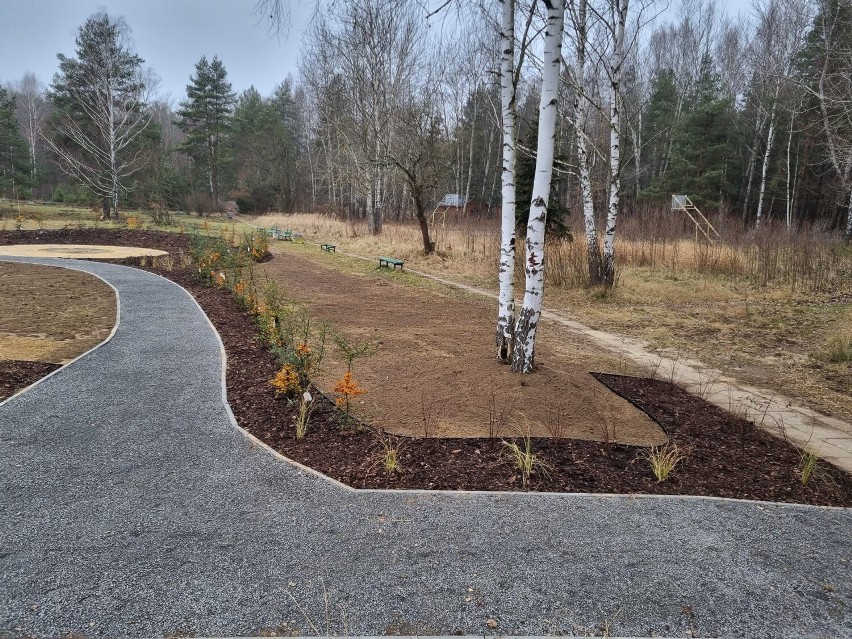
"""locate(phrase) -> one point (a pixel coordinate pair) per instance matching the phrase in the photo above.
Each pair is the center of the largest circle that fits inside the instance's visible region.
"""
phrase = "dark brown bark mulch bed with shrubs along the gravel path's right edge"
(724, 455)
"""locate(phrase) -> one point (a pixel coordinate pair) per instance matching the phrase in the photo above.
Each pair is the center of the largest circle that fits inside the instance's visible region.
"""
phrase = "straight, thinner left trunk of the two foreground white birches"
(506, 297)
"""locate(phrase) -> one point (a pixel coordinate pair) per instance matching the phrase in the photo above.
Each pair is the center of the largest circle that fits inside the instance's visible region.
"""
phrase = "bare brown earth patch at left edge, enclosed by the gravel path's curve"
(52, 314)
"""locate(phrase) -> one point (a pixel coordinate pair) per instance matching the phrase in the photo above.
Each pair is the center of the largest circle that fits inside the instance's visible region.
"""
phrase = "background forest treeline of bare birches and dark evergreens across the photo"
(391, 111)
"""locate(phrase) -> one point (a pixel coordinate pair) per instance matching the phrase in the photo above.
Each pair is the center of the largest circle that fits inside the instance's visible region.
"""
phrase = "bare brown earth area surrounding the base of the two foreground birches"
(434, 370)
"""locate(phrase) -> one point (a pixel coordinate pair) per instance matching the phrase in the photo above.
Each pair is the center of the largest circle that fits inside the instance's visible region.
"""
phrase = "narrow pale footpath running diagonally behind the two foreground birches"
(827, 437)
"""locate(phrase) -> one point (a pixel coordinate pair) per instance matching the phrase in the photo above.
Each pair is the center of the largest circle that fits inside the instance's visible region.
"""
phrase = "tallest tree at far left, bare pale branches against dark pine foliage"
(99, 97)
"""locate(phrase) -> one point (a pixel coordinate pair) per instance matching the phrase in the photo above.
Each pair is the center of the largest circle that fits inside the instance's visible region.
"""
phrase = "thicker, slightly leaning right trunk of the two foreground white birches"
(523, 352)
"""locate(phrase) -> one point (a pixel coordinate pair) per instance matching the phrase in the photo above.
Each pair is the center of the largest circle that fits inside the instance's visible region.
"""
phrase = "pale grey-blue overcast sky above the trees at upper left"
(171, 35)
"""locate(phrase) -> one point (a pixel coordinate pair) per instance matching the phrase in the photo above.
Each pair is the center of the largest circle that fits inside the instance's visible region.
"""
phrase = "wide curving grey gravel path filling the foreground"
(131, 506)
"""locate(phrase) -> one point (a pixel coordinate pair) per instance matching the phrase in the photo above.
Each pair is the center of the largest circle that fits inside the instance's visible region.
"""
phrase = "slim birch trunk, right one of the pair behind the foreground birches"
(619, 15)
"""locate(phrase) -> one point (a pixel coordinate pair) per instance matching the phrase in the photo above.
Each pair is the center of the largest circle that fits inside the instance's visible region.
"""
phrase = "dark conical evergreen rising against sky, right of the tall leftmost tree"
(207, 118)
